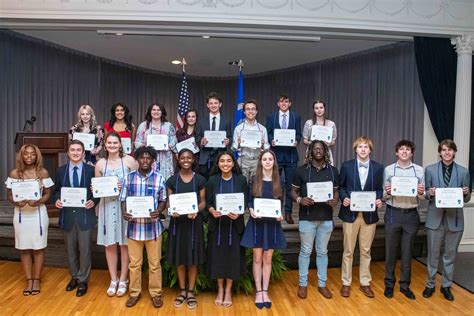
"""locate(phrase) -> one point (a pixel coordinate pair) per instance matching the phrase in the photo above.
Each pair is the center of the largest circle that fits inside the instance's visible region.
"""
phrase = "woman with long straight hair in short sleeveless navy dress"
(264, 235)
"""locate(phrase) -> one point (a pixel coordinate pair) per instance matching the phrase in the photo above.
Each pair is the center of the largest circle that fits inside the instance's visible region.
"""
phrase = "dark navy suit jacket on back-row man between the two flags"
(204, 125)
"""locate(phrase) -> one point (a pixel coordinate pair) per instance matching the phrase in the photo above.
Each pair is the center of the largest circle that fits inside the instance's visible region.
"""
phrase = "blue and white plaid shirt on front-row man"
(153, 184)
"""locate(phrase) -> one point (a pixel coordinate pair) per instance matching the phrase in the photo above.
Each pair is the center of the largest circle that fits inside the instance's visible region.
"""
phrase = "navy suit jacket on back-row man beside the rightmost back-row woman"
(284, 154)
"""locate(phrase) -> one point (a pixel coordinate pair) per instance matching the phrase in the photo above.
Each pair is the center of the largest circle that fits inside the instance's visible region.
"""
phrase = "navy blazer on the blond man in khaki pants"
(350, 181)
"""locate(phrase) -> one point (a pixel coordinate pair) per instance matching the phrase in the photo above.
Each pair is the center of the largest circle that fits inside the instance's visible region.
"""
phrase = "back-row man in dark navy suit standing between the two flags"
(214, 121)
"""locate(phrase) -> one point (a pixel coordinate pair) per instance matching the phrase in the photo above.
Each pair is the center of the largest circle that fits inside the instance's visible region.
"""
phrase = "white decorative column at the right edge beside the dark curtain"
(462, 115)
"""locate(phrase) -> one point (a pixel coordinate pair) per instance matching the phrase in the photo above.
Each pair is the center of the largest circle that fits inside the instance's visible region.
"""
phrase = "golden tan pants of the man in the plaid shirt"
(135, 253)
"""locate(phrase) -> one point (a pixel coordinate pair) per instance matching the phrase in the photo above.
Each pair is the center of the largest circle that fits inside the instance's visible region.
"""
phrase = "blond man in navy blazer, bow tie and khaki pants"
(359, 174)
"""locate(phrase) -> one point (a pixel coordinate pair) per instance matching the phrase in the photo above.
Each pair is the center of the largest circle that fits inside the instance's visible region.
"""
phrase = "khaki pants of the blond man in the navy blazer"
(366, 233)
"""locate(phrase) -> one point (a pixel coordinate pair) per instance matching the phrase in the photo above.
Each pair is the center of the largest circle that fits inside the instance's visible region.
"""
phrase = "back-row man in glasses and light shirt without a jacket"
(250, 138)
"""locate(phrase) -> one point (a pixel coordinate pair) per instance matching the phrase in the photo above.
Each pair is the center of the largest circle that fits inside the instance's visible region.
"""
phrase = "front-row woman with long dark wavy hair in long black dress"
(226, 258)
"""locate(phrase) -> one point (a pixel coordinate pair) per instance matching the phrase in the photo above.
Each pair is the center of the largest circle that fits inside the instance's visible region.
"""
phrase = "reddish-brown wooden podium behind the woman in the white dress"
(50, 145)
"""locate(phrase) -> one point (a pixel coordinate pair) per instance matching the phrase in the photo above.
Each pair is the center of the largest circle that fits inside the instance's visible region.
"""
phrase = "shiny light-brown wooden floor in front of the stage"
(53, 300)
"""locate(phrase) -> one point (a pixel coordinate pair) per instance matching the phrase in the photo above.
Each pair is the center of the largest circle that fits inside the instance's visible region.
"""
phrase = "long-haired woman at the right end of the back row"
(320, 119)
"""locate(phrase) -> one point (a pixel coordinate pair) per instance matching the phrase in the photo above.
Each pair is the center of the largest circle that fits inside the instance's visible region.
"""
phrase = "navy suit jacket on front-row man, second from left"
(84, 218)
